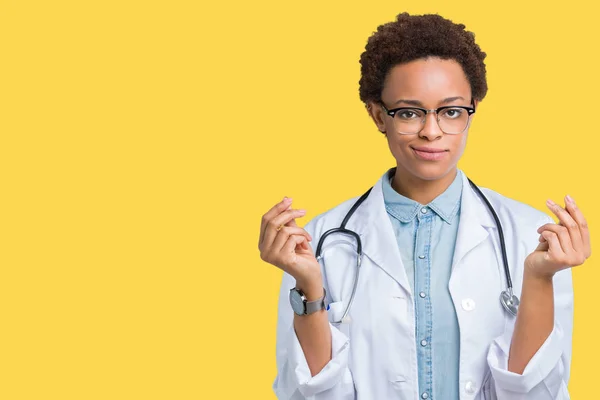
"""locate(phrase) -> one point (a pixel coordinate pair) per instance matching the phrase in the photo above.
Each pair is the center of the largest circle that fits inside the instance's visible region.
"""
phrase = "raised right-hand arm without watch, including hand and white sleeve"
(533, 361)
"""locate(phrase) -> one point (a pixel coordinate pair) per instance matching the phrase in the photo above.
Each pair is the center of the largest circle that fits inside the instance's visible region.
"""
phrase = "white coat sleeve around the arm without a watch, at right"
(546, 376)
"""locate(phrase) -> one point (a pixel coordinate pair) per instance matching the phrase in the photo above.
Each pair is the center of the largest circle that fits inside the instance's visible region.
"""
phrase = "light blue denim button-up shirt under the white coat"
(426, 236)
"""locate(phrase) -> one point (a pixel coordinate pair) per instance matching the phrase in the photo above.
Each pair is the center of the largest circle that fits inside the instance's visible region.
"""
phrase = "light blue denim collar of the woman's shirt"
(446, 205)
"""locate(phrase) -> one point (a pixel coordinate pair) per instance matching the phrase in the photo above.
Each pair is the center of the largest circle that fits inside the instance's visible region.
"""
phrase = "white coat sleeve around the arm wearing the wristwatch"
(294, 380)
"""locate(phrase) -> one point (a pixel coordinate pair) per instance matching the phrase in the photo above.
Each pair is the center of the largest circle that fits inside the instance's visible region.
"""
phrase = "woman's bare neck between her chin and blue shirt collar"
(420, 190)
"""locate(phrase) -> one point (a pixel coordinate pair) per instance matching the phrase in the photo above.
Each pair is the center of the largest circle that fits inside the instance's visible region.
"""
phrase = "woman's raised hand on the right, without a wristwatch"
(562, 245)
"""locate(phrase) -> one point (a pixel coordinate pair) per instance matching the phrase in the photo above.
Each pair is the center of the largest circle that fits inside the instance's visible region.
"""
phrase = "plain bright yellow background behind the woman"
(141, 141)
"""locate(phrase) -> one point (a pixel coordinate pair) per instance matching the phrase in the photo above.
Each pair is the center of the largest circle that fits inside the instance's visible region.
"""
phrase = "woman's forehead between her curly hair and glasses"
(427, 80)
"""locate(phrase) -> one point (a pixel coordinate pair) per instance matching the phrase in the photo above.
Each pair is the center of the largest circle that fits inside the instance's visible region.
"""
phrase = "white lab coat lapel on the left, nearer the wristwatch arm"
(374, 227)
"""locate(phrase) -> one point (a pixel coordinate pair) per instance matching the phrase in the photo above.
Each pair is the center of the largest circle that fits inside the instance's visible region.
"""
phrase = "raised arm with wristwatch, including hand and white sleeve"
(312, 355)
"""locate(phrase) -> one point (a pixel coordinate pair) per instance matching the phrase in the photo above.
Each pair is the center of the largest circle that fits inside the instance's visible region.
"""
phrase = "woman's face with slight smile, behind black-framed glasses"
(426, 83)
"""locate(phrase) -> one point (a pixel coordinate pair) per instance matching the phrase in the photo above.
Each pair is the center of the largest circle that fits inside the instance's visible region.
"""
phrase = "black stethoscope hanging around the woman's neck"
(509, 300)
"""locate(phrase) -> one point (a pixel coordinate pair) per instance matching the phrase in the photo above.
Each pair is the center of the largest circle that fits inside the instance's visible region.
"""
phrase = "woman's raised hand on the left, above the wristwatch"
(286, 245)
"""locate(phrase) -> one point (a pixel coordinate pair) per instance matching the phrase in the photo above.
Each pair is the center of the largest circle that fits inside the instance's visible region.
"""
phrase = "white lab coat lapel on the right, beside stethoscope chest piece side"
(474, 219)
